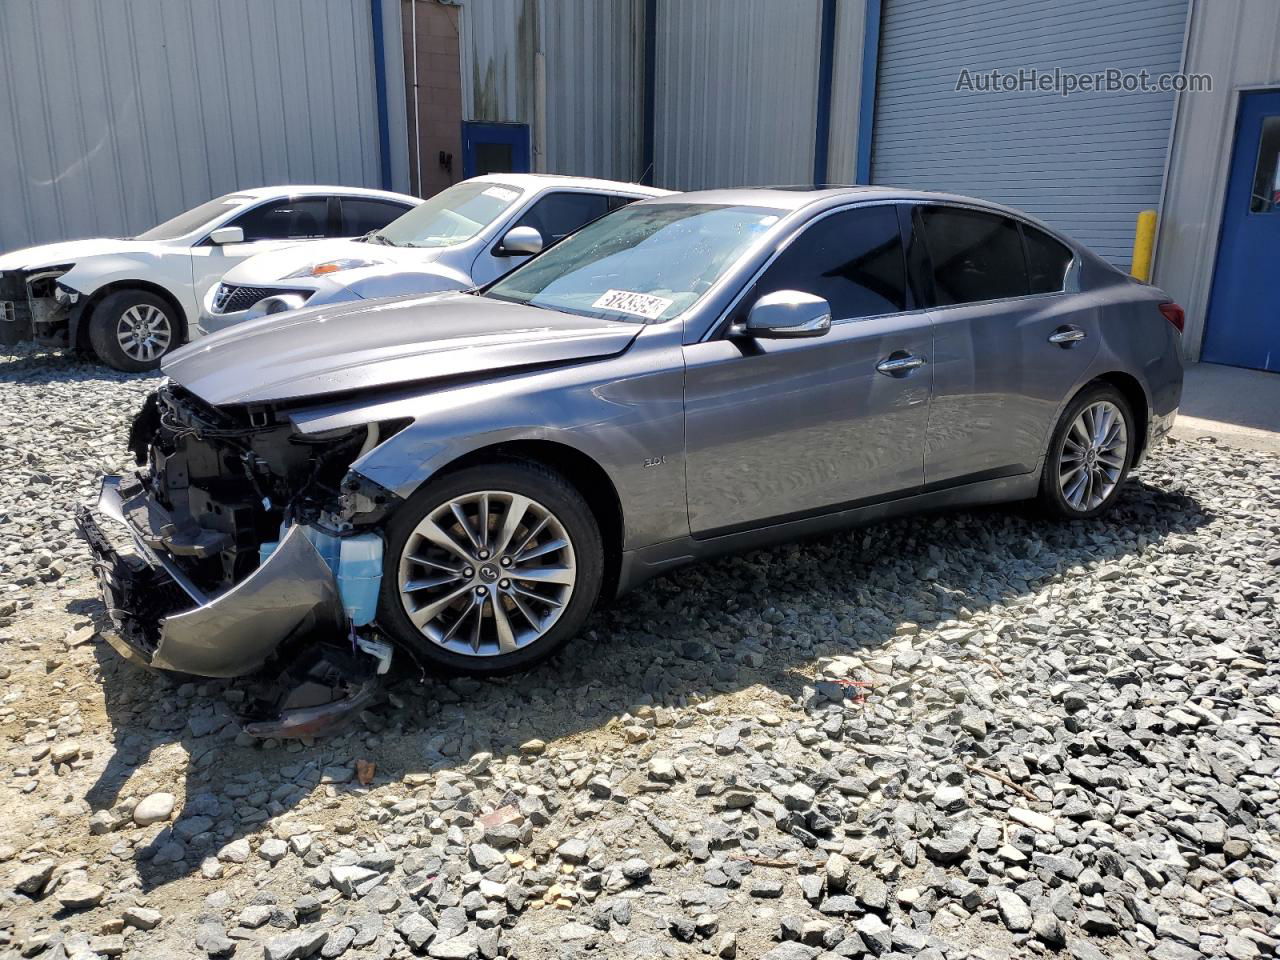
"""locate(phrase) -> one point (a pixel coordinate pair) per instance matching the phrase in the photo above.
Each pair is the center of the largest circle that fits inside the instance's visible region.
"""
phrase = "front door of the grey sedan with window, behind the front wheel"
(781, 429)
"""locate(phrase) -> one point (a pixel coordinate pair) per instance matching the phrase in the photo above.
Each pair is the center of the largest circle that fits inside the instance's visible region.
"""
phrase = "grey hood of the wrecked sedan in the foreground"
(373, 345)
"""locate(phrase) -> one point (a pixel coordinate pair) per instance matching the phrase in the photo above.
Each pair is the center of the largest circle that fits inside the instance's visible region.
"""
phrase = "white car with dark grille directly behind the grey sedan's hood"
(465, 236)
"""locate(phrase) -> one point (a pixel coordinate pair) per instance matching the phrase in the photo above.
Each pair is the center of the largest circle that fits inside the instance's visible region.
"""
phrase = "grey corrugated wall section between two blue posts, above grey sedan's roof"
(737, 93)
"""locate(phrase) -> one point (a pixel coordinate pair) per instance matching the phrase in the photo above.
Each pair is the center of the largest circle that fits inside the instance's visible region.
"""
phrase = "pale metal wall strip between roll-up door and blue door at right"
(1238, 44)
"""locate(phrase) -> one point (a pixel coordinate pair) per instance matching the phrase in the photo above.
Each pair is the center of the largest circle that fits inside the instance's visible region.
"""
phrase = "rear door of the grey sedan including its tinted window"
(1011, 340)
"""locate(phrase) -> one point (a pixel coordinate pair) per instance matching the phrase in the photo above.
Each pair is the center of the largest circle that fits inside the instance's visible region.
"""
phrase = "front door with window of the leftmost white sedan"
(271, 226)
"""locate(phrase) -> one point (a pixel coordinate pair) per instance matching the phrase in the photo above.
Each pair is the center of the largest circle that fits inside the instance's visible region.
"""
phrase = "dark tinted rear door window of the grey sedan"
(976, 257)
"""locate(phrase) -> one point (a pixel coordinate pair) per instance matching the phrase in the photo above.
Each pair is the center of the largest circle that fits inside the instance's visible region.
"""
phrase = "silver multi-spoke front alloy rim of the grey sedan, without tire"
(487, 574)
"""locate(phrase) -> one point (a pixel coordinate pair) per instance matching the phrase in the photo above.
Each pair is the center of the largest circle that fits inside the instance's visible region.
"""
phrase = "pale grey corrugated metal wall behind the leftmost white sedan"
(117, 115)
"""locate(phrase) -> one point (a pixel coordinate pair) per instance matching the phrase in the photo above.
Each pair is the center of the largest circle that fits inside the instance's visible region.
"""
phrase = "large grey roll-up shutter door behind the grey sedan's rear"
(1086, 164)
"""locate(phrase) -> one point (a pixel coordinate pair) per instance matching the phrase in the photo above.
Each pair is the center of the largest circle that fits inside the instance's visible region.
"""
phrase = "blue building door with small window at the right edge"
(1244, 323)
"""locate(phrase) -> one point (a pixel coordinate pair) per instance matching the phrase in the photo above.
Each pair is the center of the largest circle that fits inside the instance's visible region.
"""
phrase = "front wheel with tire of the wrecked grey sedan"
(491, 569)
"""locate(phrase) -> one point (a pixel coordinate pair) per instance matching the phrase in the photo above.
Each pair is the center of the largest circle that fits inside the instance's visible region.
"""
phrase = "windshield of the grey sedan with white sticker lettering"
(644, 263)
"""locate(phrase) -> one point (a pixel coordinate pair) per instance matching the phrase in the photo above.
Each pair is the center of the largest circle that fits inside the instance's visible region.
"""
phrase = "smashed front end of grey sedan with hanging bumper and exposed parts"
(250, 552)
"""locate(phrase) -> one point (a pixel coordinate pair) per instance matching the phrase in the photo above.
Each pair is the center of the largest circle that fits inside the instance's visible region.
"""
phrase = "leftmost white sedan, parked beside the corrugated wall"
(132, 300)
